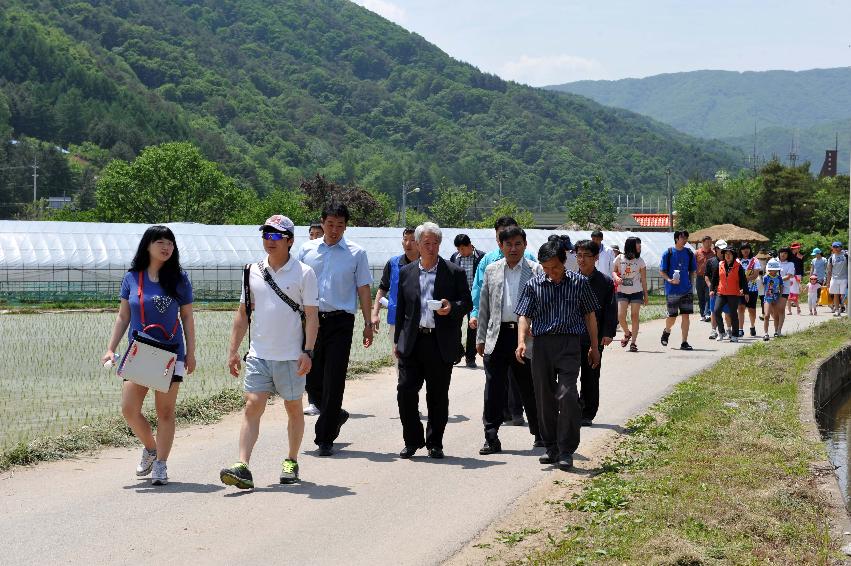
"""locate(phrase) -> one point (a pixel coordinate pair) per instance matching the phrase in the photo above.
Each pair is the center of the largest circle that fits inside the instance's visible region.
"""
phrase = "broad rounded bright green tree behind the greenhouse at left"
(171, 182)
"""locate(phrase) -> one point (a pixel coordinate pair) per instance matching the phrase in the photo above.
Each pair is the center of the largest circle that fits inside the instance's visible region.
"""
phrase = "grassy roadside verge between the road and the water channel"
(718, 472)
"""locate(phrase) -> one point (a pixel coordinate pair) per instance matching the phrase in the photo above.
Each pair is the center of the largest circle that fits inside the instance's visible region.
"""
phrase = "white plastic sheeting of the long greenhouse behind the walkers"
(31, 249)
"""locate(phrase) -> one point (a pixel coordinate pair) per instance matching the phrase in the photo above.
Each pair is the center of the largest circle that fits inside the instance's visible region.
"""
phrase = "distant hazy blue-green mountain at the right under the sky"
(812, 106)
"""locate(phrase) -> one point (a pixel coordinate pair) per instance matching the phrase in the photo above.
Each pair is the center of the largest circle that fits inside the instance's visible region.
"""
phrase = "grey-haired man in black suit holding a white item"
(432, 300)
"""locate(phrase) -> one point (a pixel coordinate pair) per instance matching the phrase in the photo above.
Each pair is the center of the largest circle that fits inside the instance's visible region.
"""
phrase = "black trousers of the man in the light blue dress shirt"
(326, 380)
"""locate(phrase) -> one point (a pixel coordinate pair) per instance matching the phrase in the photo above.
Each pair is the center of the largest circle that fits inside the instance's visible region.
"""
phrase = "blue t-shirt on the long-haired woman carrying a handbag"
(160, 308)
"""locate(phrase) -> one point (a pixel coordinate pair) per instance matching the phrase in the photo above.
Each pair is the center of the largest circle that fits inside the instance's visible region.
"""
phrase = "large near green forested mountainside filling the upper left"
(275, 91)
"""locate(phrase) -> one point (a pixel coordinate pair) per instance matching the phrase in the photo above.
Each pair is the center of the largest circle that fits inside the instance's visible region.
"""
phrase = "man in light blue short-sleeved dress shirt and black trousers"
(343, 278)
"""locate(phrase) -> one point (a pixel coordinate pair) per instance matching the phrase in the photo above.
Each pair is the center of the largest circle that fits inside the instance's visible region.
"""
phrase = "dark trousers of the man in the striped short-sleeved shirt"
(555, 369)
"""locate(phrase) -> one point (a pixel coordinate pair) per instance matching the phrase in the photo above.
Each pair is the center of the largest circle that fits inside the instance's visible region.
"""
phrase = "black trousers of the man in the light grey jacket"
(502, 367)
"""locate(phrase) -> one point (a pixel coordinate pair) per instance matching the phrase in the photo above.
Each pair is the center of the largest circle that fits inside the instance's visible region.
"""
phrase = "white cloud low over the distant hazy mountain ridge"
(551, 69)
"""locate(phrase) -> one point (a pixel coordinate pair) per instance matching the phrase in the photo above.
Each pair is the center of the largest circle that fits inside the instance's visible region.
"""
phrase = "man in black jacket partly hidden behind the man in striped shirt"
(587, 253)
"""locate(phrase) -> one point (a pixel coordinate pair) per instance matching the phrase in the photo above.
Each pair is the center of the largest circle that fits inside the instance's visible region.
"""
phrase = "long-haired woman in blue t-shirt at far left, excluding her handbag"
(155, 291)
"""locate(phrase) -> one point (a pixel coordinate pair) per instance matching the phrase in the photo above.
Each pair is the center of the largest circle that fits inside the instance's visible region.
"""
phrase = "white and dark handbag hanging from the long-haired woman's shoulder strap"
(149, 362)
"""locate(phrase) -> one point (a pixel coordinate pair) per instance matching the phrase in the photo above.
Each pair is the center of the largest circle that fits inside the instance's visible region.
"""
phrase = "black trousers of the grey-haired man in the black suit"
(424, 366)
